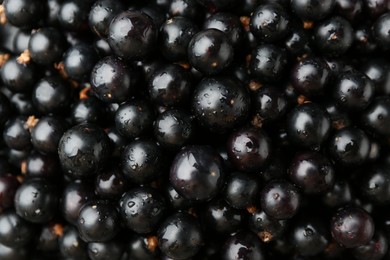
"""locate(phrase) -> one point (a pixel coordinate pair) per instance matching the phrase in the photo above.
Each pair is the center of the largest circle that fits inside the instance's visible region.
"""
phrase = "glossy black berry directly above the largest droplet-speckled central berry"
(210, 51)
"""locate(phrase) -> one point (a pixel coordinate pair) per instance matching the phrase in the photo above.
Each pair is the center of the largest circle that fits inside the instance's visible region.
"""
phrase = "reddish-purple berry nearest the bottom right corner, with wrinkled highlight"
(352, 227)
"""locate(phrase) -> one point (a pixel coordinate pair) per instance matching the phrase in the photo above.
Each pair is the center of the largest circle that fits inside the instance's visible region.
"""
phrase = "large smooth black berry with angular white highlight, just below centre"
(197, 172)
